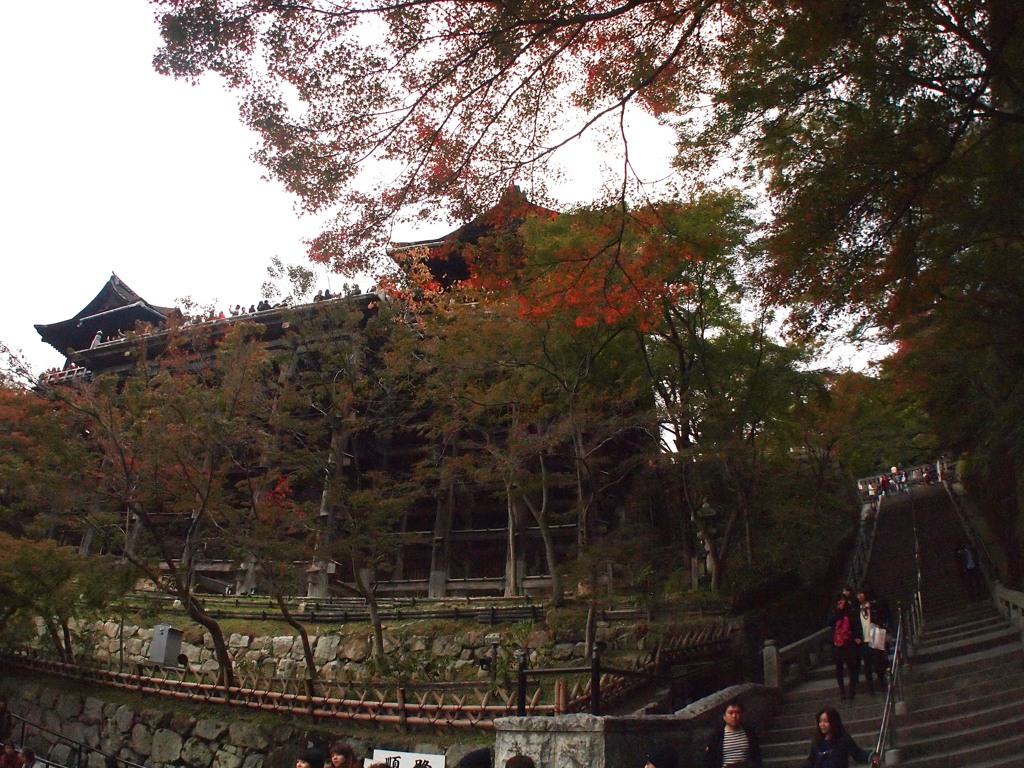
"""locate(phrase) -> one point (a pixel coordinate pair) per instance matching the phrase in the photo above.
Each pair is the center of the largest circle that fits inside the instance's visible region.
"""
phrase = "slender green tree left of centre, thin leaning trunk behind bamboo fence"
(345, 413)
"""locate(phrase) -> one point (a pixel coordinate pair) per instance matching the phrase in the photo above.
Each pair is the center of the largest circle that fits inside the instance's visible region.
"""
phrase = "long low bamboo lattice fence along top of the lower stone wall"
(472, 705)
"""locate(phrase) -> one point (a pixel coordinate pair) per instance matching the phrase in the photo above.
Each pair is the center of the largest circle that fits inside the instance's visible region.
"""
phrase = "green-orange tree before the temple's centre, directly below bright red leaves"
(535, 410)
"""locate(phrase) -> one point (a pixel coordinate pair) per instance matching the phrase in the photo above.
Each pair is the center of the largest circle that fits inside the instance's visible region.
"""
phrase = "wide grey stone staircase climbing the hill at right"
(963, 688)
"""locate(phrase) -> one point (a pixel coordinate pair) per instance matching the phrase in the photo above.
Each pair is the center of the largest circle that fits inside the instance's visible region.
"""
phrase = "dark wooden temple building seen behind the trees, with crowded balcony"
(454, 544)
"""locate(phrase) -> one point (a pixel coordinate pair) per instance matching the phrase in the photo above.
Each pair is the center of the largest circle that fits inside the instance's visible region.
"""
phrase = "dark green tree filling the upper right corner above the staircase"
(888, 136)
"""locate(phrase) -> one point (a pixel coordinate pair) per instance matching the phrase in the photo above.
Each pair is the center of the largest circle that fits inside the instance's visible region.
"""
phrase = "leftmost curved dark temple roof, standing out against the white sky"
(115, 309)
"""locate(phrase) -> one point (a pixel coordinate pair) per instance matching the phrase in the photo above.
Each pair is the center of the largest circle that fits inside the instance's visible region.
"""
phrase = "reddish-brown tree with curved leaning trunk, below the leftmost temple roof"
(170, 436)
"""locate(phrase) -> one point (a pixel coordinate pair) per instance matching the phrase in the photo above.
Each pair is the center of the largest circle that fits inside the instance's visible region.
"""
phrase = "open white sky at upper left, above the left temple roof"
(110, 167)
